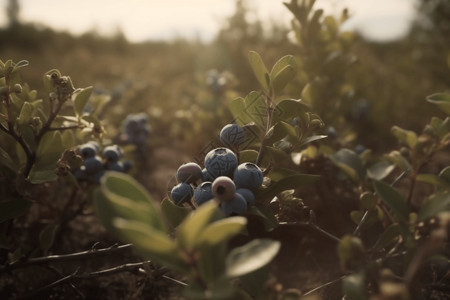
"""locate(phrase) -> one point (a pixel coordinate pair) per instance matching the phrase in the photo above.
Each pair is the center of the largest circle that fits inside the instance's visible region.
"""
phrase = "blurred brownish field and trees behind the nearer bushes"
(360, 88)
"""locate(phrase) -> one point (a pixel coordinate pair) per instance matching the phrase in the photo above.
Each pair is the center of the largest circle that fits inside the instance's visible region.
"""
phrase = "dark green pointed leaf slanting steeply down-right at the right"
(393, 199)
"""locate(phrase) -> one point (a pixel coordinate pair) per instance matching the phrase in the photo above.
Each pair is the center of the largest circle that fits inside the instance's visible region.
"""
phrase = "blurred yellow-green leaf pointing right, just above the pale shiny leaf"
(221, 231)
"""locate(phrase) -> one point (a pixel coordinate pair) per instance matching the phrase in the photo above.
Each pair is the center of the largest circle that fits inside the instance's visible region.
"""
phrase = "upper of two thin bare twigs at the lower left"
(64, 257)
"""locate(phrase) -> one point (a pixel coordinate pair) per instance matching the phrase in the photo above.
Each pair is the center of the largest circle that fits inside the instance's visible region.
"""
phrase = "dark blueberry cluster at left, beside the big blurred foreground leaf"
(96, 163)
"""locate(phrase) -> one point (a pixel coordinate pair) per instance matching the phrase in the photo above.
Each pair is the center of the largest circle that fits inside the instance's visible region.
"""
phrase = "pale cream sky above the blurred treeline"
(140, 20)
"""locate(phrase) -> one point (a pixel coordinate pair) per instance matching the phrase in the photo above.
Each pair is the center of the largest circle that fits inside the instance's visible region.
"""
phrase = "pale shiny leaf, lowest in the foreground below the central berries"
(251, 256)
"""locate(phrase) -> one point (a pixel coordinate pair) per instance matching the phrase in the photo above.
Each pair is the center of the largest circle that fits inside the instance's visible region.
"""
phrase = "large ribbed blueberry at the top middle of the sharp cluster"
(221, 162)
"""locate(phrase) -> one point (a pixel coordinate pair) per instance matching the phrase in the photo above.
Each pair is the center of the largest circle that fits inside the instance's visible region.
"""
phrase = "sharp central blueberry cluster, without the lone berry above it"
(222, 179)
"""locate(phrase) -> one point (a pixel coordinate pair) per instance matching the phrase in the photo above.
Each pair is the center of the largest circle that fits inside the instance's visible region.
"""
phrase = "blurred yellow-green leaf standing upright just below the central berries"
(192, 227)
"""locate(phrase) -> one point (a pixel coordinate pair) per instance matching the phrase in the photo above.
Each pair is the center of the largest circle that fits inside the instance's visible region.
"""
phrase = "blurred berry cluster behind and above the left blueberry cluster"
(136, 129)
